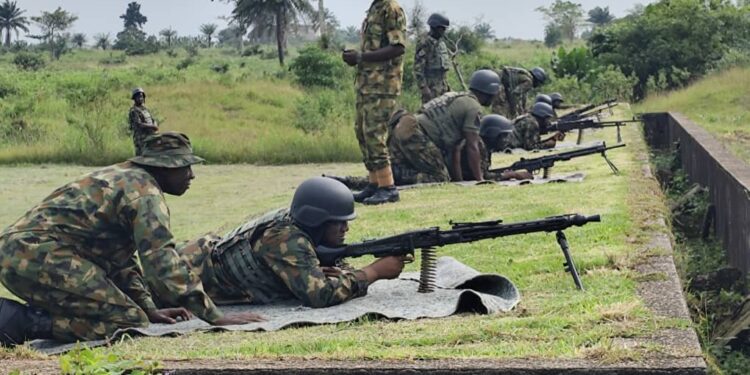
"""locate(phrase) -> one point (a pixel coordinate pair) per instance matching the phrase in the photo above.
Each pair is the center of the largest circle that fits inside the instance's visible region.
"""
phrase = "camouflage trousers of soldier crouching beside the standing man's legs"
(416, 159)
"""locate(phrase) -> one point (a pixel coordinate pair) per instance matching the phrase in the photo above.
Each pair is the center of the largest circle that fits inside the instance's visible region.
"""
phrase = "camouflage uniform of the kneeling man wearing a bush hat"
(76, 255)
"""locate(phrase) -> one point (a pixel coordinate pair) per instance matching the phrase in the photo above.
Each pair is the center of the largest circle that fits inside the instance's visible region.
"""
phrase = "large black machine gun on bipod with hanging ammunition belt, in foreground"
(428, 239)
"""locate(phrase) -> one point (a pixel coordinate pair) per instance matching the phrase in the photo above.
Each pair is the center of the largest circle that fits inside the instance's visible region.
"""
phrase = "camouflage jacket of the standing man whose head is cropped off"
(385, 25)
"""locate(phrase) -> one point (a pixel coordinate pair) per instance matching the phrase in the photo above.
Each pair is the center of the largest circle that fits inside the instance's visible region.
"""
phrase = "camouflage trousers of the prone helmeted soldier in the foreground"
(197, 254)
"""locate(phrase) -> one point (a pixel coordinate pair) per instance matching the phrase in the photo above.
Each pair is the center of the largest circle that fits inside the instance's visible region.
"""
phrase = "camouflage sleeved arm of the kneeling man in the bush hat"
(168, 276)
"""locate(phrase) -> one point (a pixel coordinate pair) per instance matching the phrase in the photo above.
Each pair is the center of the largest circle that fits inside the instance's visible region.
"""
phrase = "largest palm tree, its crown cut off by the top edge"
(282, 13)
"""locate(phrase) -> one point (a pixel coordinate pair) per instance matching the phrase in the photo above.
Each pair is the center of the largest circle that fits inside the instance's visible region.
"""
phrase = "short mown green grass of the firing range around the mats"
(553, 320)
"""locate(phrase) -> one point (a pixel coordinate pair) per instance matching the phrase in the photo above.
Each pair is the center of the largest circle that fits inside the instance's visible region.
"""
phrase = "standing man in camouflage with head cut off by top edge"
(380, 69)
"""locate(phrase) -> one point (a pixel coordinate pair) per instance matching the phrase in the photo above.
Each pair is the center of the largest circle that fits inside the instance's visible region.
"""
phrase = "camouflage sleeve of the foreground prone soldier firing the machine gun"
(294, 261)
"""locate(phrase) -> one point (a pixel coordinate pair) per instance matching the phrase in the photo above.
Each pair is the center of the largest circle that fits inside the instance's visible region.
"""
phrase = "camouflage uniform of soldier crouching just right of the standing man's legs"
(422, 145)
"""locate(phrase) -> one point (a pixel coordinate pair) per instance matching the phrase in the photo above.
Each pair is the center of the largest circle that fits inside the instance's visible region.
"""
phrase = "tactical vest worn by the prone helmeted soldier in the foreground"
(238, 266)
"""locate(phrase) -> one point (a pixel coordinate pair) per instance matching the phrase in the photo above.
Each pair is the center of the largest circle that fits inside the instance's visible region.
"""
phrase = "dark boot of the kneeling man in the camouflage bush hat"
(19, 323)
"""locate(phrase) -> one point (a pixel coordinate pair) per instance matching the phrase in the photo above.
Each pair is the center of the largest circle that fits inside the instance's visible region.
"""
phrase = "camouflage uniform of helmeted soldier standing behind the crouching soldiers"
(431, 66)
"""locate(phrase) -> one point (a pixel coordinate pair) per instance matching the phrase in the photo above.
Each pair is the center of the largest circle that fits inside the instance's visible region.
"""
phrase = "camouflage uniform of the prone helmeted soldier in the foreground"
(266, 260)
